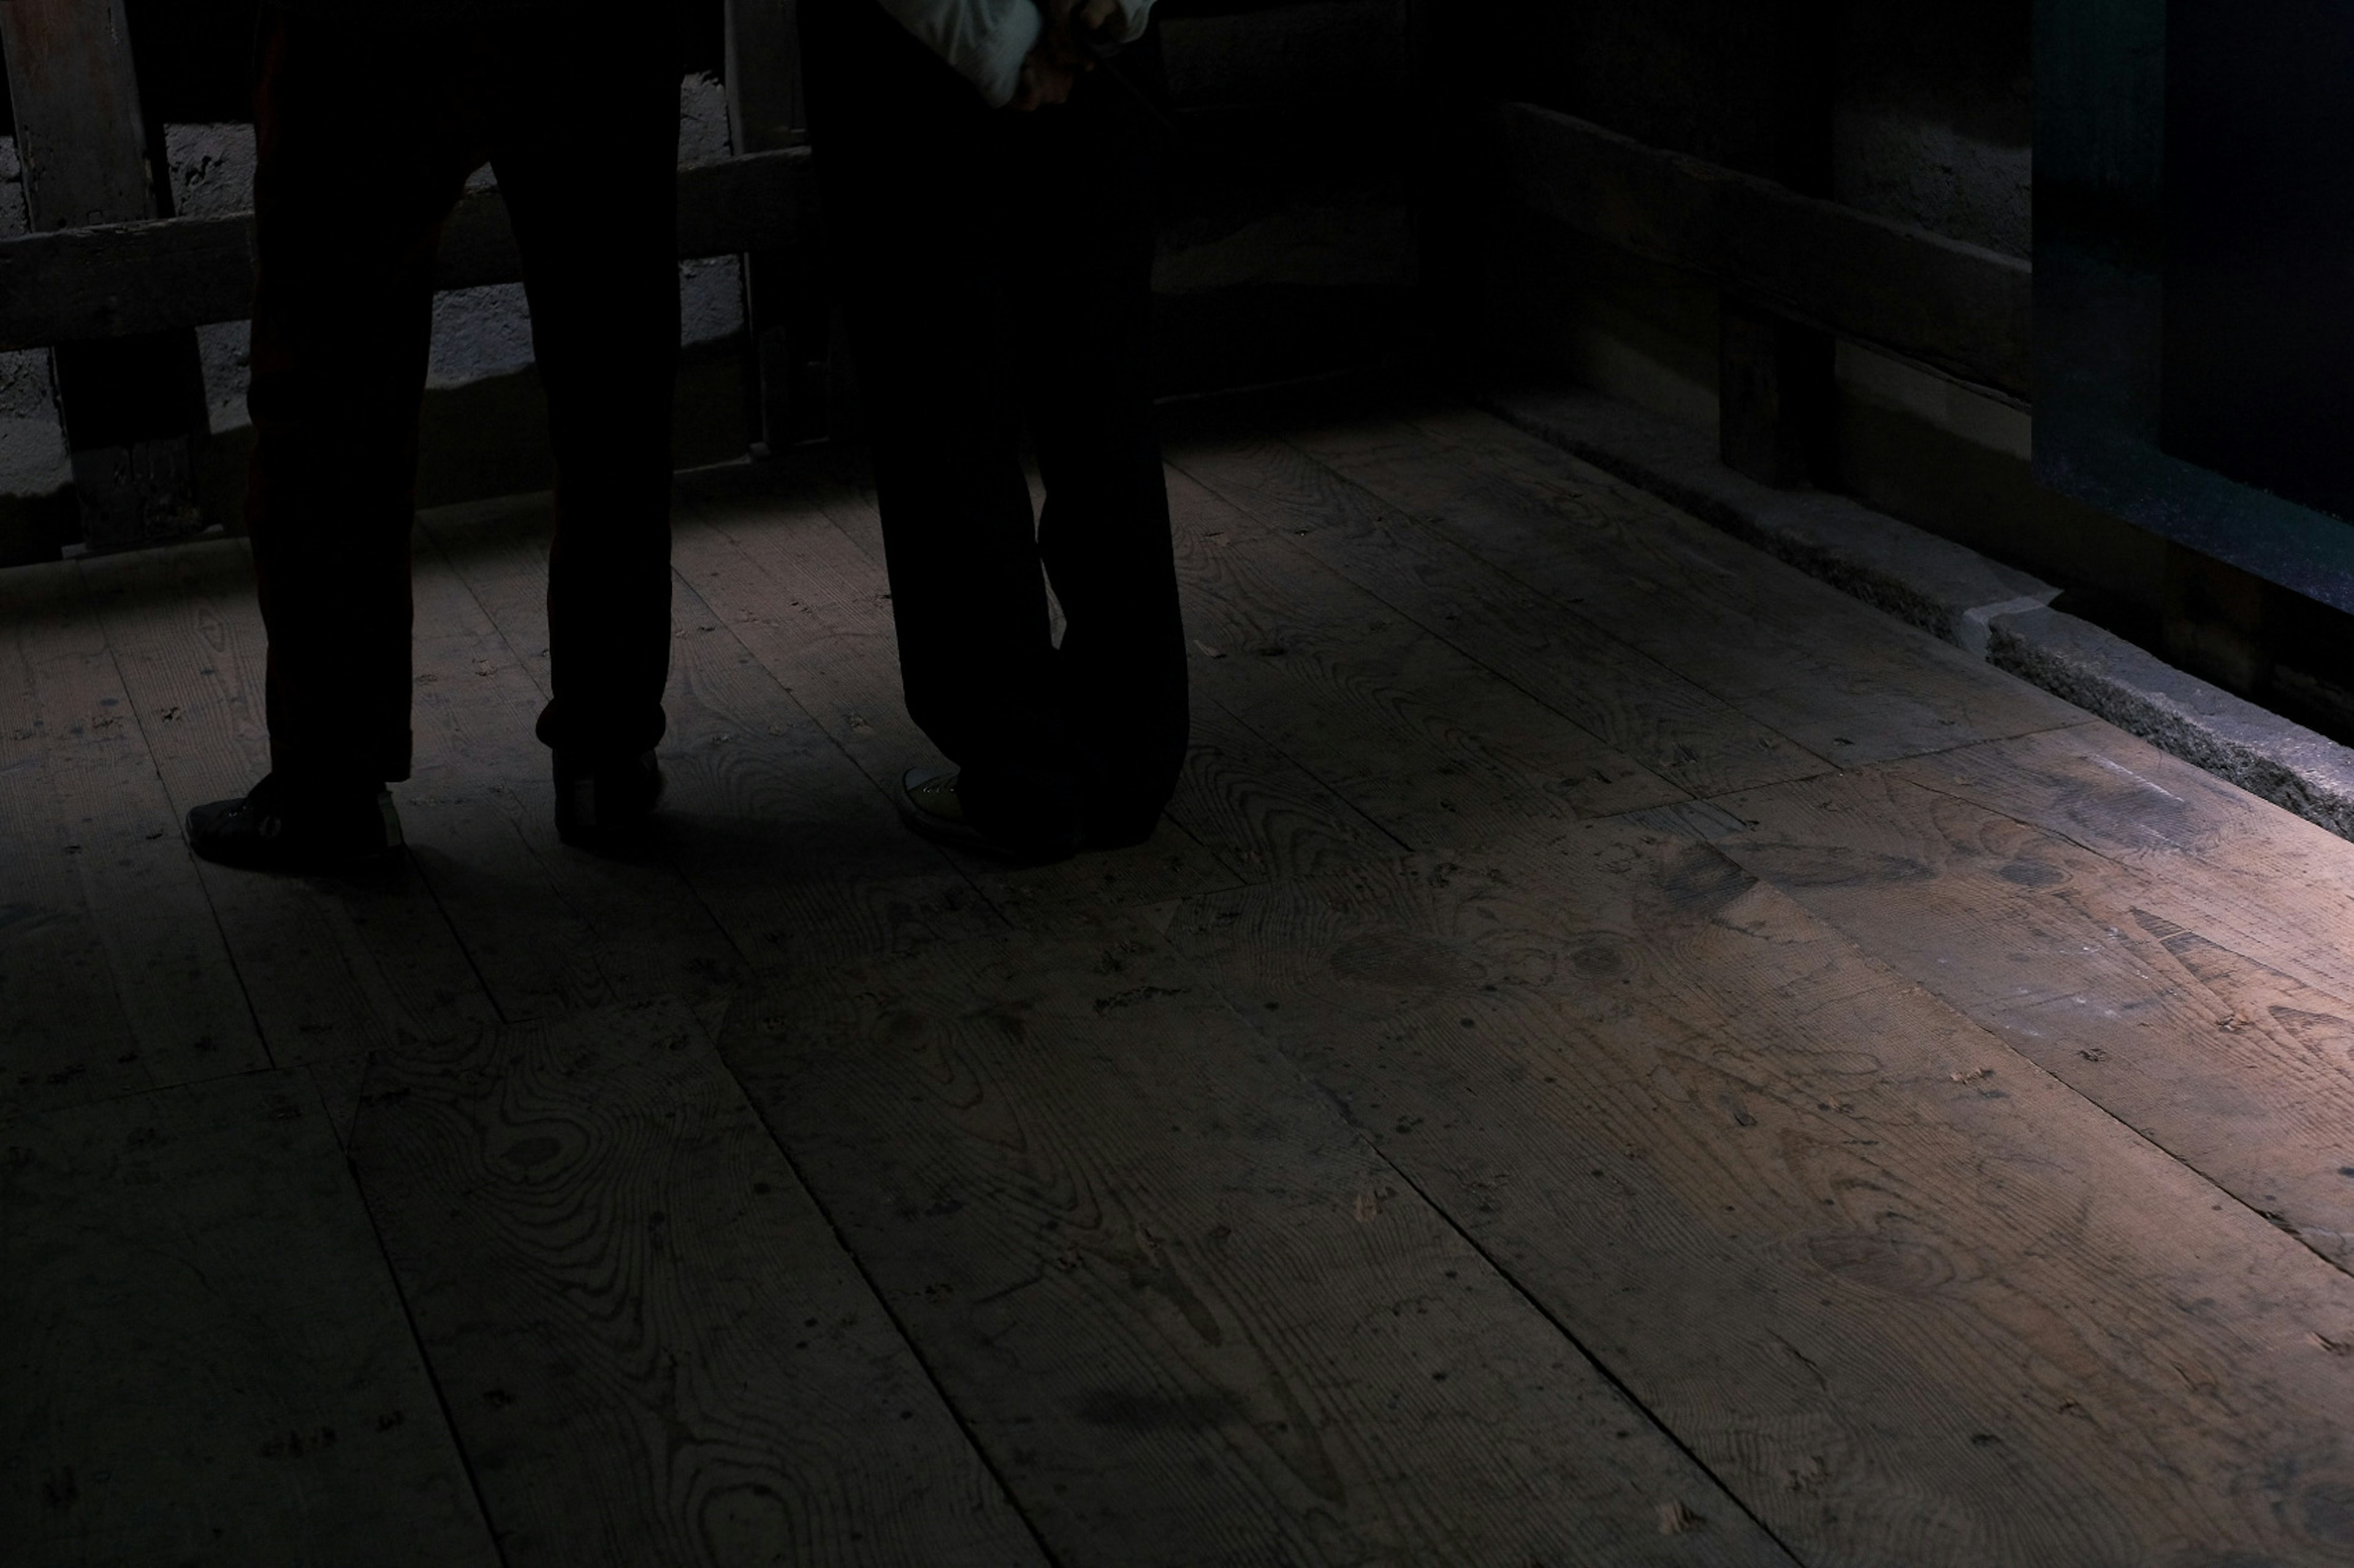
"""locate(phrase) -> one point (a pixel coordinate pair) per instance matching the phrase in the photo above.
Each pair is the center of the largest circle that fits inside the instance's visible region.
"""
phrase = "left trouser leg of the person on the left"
(364, 152)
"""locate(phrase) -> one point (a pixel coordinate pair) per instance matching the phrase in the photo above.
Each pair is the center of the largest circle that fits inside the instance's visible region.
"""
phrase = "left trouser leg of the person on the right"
(919, 208)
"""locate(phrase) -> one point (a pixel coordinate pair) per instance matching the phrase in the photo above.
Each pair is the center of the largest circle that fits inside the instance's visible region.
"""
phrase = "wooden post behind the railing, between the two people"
(785, 300)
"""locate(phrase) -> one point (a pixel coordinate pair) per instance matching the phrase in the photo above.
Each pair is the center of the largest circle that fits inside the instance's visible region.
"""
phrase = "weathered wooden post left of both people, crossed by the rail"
(133, 406)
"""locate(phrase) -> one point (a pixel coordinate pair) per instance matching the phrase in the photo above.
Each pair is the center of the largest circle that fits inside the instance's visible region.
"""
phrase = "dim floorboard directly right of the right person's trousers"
(1395, 722)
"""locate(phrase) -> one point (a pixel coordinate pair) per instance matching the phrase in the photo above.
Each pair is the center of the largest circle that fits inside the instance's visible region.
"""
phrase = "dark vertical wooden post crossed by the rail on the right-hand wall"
(1774, 376)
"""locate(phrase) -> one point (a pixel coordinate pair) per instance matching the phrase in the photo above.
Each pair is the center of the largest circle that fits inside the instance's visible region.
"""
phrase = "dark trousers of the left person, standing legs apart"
(368, 133)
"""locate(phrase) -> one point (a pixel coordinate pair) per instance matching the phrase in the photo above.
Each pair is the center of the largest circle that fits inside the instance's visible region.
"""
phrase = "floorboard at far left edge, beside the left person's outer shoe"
(112, 969)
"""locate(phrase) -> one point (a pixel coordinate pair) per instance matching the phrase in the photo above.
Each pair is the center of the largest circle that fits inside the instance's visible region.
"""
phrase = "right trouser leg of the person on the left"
(587, 159)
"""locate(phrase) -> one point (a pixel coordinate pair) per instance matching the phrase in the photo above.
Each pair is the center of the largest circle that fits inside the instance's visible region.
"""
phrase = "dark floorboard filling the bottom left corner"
(201, 1353)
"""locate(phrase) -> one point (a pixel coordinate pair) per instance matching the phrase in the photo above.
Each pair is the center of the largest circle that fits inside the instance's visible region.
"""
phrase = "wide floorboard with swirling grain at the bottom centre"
(1190, 1315)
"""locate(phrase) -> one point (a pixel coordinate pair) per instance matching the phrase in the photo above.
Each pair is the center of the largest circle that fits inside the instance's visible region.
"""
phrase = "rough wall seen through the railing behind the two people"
(1286, 246)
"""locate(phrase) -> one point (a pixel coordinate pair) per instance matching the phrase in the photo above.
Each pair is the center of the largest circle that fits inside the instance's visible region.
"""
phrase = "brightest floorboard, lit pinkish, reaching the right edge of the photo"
(2092, 969)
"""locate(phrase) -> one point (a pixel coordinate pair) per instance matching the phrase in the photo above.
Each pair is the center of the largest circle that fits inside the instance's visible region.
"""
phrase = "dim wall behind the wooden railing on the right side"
(1913, 112)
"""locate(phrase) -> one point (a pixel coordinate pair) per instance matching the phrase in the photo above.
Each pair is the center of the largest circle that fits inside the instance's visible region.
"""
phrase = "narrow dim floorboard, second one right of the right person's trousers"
(1543, 649)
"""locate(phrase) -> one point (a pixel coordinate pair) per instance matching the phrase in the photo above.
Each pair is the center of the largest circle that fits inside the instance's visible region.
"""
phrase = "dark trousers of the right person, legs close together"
(997, 272)
